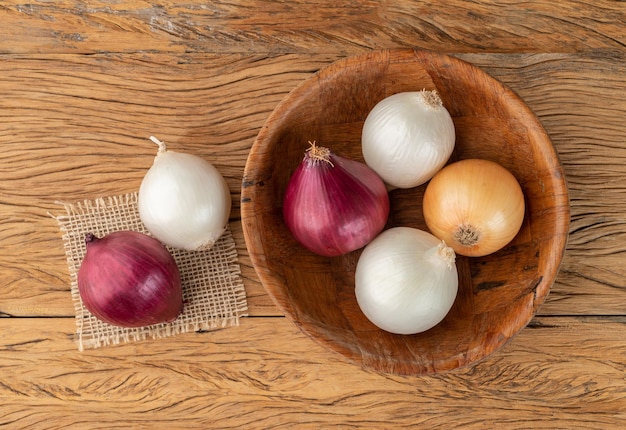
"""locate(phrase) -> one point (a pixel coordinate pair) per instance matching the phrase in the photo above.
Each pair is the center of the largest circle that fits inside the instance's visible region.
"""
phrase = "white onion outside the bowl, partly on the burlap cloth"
(184, 201)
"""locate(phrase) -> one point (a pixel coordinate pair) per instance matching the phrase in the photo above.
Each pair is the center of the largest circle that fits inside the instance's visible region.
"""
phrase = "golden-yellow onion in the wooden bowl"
(476, 206)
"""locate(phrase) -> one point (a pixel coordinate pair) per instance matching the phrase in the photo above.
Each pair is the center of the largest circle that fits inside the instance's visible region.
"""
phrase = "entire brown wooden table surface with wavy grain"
(82, 86)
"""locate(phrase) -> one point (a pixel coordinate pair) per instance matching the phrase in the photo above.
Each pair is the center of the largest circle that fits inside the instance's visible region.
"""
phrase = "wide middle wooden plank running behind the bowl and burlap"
(86, 136)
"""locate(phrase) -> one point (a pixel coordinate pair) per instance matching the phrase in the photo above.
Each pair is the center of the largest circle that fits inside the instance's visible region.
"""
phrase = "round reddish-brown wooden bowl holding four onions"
(498, 294)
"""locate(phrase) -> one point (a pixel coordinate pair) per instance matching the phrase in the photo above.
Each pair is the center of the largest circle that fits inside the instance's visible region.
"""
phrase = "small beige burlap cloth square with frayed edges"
(213, 290)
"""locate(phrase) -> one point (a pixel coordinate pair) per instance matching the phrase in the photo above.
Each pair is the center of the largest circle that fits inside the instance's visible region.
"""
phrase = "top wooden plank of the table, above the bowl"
(311, 27)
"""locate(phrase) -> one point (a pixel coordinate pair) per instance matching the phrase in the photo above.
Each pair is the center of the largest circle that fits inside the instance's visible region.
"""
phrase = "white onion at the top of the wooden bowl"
(407, 137)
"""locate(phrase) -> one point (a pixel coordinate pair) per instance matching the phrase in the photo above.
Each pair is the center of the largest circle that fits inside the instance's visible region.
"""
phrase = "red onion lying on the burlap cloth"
(129, 279)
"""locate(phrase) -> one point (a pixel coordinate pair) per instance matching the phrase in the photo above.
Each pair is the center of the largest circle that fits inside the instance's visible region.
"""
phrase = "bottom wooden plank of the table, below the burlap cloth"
(572, 368)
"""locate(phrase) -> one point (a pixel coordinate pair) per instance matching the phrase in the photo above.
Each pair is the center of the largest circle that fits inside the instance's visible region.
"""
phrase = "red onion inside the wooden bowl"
(334, 205)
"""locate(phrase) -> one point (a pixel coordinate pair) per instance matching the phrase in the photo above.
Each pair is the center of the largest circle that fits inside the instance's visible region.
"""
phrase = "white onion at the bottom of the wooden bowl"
(406, 280)
